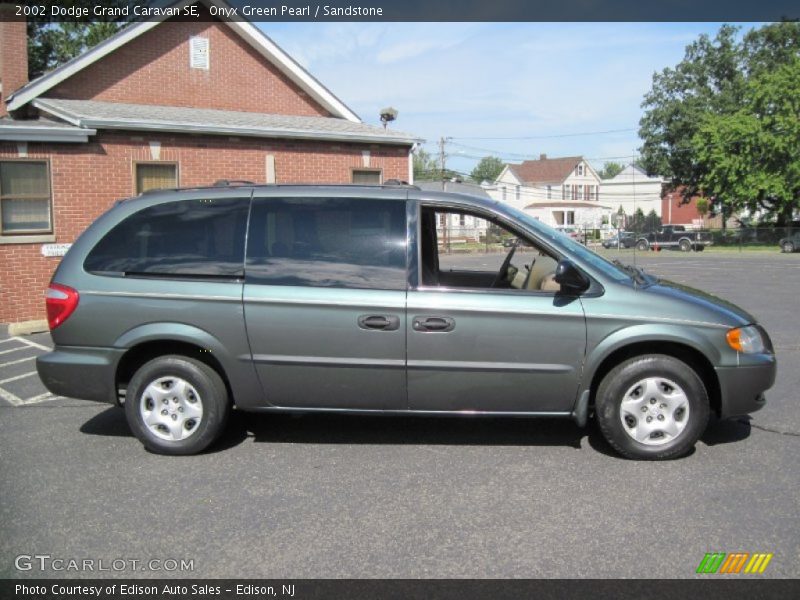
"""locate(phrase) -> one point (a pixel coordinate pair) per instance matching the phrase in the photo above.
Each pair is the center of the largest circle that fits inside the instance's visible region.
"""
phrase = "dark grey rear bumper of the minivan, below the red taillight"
(80, 372)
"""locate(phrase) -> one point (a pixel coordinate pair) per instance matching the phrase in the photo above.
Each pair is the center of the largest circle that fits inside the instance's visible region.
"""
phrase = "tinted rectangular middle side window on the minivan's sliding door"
(332, 242)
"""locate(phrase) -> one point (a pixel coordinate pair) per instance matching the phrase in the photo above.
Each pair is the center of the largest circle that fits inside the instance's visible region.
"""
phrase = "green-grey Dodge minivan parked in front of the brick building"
(183, 304)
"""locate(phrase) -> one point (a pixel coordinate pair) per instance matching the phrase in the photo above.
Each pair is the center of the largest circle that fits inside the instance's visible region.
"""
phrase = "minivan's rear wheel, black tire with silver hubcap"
(184, 423)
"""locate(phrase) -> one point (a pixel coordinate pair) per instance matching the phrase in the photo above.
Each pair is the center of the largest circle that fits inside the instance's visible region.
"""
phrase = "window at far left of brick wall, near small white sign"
(25, 199)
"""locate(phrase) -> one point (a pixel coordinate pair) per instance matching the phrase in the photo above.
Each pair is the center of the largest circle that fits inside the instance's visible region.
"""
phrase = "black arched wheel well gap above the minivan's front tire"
(694, 358)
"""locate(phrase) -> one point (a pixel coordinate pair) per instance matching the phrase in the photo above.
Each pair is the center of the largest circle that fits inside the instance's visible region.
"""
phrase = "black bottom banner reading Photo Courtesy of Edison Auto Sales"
(389, 589)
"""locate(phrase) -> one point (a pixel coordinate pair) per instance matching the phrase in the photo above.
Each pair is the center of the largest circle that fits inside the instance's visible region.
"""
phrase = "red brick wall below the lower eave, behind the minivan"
(88, 178)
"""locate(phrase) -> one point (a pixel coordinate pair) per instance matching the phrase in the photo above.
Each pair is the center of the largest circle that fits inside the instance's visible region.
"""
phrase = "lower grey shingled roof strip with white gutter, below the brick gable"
(113, 115)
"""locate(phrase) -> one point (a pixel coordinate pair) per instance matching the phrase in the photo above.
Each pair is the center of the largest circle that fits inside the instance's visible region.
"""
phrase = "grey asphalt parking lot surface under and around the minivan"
(333, 496)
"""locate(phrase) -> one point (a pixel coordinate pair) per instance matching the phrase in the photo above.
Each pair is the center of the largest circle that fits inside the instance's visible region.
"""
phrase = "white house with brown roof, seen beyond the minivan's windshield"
(556, 191)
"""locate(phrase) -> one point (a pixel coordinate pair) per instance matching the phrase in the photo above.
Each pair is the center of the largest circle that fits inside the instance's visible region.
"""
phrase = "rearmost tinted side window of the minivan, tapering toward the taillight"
(189, 238)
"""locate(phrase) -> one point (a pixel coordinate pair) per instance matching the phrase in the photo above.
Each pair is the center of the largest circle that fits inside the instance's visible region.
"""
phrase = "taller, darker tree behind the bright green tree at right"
(712, 81)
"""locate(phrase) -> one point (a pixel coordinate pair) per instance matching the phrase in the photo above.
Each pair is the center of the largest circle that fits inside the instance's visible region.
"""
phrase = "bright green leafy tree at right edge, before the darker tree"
(750, 158)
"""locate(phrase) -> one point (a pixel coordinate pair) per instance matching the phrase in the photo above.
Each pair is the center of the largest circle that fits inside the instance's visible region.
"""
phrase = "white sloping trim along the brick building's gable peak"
(249, 32)
